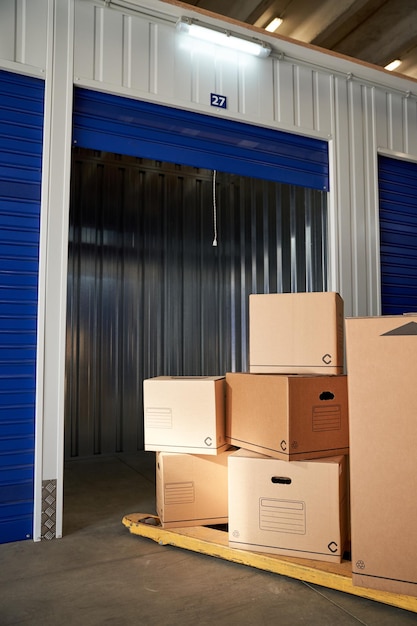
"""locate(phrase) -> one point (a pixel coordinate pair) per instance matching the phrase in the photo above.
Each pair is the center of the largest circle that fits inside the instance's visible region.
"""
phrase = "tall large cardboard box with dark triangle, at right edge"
(382, 390)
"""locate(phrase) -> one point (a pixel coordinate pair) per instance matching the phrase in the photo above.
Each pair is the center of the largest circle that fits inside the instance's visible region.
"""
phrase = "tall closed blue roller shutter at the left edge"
(21, 114)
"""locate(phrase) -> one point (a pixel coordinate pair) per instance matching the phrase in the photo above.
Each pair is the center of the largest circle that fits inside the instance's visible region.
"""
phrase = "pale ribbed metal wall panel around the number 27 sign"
(145, 55)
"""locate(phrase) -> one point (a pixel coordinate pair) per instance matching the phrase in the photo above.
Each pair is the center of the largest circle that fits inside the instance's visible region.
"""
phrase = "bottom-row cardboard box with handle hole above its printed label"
(293, 509)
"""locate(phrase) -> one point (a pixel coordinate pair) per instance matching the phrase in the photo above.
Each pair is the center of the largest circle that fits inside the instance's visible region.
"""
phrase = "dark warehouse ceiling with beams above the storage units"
(375, 31)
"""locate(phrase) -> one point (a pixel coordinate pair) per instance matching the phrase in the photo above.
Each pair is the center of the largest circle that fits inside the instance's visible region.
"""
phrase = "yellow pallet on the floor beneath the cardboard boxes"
(213, 542)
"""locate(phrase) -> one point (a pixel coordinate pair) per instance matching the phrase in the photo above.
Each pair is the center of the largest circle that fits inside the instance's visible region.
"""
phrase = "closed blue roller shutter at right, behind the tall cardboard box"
(398, 235)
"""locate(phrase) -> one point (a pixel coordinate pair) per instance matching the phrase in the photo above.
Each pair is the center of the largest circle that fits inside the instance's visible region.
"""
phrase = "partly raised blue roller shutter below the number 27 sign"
(136, 128)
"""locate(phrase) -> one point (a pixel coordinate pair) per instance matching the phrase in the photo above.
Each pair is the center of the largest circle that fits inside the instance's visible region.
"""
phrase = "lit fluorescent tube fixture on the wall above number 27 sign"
(222, 38)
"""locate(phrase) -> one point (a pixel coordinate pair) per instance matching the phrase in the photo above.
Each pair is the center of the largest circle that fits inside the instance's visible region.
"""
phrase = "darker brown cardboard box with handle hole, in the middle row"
(288, 417)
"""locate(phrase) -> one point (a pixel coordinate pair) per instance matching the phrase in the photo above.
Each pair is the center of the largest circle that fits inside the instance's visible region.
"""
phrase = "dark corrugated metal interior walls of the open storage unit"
(149, 294)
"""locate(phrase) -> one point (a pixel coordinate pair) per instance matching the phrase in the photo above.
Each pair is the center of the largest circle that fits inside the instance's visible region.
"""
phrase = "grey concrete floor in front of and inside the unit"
(100, 574)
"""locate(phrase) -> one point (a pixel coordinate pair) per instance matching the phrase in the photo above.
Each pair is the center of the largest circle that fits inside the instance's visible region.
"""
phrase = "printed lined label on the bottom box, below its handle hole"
(283, 516)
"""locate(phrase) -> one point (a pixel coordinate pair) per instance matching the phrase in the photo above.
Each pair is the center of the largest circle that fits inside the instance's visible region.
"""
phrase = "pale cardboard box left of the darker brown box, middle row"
(185, 414)
